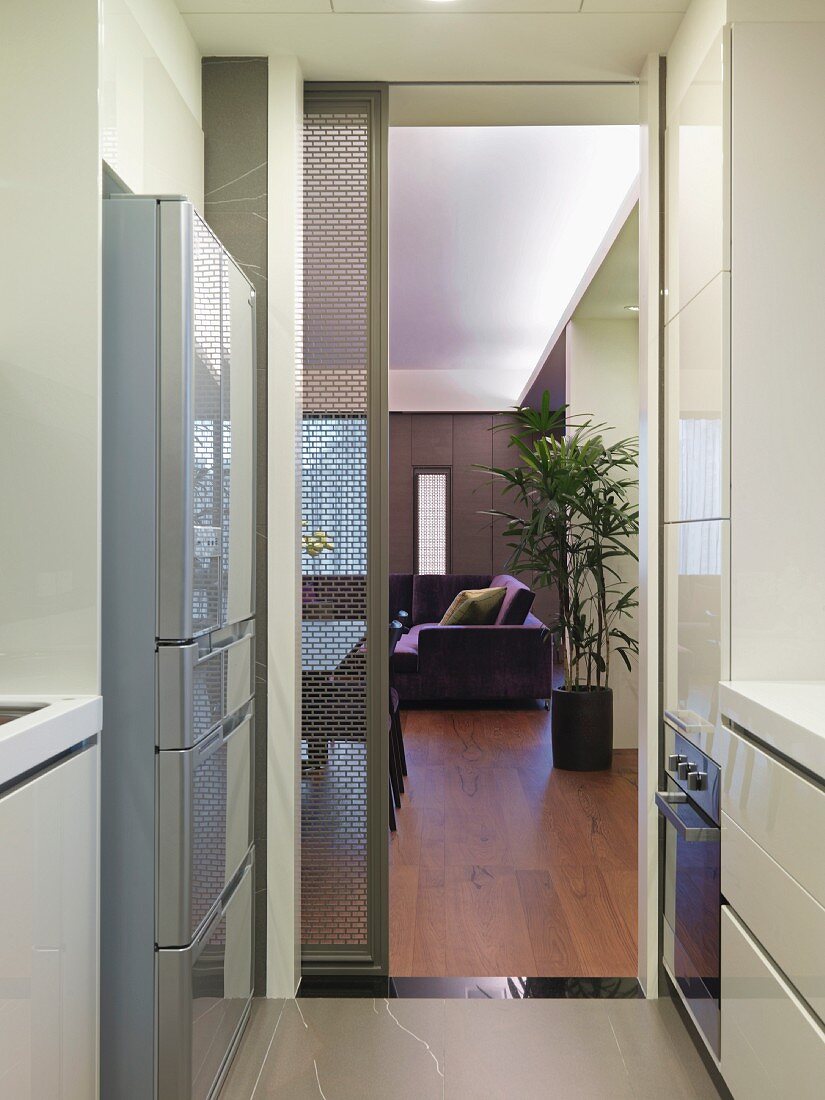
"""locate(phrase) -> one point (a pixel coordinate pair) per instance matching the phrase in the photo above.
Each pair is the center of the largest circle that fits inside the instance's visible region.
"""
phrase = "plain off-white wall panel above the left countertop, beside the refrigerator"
(50, 347)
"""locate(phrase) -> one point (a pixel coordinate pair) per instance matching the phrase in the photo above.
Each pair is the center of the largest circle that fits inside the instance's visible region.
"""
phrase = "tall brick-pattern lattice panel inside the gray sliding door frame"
(336, 344)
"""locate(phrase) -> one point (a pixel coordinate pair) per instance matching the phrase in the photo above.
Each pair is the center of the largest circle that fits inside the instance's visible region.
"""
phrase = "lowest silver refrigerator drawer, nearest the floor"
(204, 993)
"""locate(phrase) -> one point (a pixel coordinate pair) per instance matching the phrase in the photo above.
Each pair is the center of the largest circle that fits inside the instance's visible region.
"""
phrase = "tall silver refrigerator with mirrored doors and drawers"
(179, 636)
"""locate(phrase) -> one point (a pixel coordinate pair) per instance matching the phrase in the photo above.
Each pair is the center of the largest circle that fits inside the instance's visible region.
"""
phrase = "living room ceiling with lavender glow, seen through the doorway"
(491, 233)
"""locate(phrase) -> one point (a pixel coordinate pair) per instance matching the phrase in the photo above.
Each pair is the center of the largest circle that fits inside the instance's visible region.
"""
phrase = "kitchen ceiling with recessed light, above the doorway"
(422, 40)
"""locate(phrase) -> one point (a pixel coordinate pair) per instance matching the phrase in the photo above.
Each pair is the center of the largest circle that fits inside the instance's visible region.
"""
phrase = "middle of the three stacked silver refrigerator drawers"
(205, 826)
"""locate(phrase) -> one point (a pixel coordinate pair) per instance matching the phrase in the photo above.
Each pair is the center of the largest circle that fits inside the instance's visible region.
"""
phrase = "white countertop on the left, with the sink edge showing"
(35, 740)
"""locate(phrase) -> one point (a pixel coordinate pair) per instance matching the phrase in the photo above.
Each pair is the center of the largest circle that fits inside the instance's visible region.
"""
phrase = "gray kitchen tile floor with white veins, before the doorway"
(448, 1050)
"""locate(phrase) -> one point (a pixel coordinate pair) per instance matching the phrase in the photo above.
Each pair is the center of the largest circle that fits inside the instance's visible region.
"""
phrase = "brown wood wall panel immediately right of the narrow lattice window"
(472, 541)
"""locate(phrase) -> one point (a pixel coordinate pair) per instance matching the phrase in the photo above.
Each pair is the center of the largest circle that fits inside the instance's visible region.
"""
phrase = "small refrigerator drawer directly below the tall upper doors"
(201, 685)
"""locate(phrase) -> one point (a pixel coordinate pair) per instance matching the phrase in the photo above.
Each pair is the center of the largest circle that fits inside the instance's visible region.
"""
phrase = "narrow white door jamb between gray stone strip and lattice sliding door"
(283, 659)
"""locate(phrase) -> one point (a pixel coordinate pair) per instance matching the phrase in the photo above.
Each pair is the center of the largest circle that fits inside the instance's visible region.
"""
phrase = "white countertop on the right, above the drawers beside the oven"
(788, 716)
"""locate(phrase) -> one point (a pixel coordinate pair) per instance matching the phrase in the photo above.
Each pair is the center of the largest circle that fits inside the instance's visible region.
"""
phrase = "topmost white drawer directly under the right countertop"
(779, 809)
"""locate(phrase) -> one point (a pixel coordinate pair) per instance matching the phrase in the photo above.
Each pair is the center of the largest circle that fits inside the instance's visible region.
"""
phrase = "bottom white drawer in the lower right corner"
(772, 1044)
